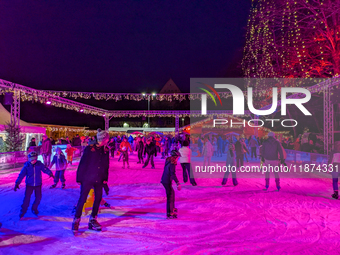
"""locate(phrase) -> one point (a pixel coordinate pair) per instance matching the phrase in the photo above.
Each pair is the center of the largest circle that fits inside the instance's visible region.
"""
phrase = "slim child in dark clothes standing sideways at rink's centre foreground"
(168, 176)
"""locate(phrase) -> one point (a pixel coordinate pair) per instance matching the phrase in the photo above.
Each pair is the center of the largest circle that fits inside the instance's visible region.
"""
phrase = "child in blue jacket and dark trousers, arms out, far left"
(32, 171)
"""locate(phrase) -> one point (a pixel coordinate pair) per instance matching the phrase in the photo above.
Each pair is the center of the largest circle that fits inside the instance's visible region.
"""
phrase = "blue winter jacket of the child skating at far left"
(33, 173)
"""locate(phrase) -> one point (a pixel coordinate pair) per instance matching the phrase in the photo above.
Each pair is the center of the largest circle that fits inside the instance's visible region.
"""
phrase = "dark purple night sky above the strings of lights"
(120, 46)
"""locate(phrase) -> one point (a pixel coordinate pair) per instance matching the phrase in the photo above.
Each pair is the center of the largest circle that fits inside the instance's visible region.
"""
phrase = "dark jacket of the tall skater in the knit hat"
(94, 164)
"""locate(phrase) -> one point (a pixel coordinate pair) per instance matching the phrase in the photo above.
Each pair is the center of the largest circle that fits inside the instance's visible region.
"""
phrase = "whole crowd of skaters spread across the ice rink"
(93, 169)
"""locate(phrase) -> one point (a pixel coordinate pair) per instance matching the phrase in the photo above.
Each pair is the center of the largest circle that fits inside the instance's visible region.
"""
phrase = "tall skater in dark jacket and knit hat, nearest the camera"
(93, 172)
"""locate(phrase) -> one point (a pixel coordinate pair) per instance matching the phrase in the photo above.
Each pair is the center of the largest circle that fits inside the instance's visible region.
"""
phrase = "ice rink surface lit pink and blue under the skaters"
(300, 219)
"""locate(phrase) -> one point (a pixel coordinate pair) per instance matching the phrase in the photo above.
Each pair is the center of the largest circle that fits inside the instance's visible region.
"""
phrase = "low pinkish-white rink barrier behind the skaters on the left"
(9, 160)
